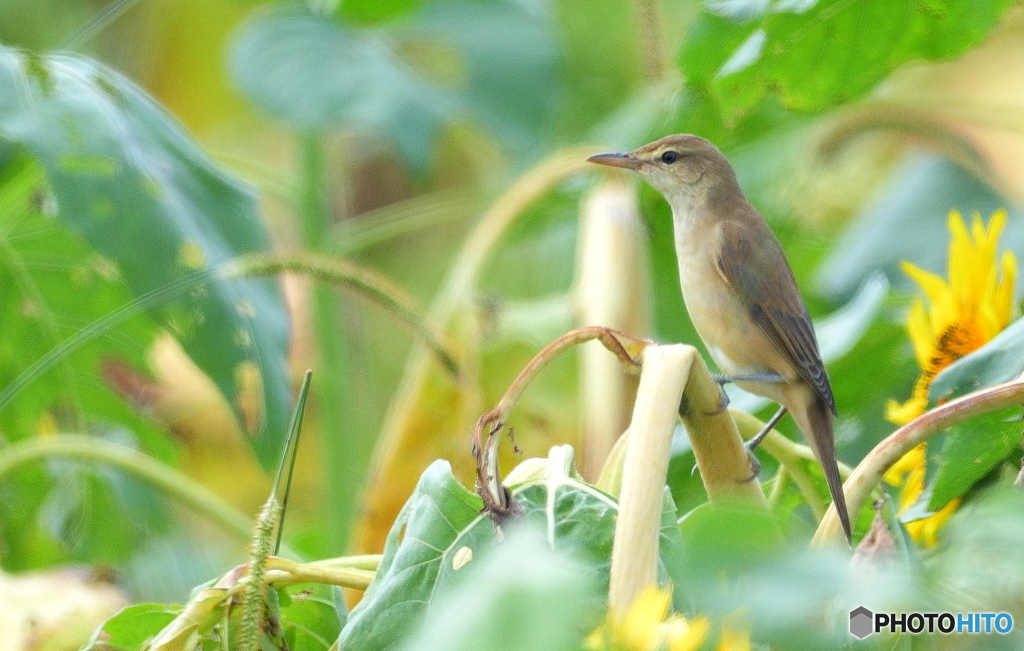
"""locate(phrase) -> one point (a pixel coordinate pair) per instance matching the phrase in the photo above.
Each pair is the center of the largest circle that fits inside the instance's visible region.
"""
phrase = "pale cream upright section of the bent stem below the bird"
(634, 555)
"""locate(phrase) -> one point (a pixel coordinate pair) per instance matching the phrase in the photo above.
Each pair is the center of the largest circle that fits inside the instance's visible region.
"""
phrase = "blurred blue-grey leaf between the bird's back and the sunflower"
(918, 200)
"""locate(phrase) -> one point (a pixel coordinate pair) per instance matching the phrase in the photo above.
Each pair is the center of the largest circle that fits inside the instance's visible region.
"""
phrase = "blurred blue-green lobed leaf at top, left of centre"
(492, 62)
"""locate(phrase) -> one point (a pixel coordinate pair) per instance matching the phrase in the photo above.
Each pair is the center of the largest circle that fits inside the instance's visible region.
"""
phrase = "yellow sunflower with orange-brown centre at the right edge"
(962, 316)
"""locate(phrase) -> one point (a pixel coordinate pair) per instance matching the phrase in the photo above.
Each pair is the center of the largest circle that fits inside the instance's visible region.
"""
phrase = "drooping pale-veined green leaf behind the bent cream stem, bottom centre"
(442, 527)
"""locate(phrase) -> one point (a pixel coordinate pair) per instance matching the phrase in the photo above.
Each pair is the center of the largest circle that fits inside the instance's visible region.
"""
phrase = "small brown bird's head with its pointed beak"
(681, 166)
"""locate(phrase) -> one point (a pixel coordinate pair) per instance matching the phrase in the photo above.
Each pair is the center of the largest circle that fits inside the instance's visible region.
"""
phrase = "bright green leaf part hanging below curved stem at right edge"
(972, 450)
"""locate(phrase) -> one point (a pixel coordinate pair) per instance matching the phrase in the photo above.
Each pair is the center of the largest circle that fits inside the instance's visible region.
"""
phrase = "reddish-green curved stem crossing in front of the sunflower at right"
(868, 475)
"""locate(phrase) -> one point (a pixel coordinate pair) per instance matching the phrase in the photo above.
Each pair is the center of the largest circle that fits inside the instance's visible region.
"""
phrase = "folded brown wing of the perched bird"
(775, 303)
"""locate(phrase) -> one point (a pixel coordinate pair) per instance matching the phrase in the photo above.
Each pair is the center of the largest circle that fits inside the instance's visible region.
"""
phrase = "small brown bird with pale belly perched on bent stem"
(741, 293)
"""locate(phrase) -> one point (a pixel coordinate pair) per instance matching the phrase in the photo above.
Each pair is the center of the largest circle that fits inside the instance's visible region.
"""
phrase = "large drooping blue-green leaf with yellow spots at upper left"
(130, 181)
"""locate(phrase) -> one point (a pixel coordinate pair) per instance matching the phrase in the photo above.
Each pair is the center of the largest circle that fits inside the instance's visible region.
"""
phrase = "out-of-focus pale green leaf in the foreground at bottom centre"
(524, 597)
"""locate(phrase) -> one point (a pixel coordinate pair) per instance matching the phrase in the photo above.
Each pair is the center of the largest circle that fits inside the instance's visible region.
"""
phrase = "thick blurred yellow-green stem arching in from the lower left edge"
(135, 463)
